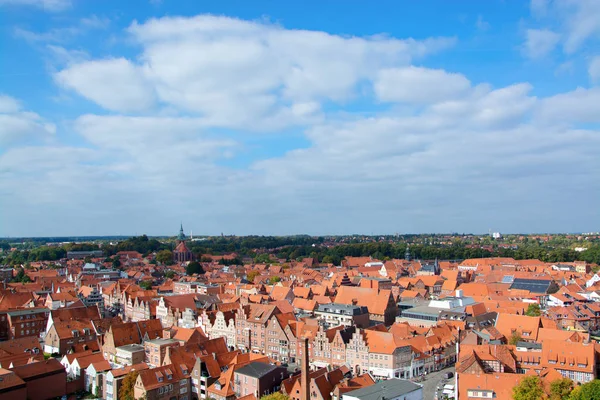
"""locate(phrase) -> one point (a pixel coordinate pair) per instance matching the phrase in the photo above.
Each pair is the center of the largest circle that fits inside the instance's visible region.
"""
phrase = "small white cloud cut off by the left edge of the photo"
(17, 125)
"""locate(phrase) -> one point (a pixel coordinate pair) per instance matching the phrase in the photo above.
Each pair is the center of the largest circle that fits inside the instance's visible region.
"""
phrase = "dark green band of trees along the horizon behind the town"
(297, 247)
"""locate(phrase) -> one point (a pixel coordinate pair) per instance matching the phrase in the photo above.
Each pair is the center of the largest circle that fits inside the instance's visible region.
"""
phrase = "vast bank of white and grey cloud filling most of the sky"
(449, 156)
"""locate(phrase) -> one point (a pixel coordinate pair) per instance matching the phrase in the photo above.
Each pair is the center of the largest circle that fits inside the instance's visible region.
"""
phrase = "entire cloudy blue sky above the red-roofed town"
(312, 117)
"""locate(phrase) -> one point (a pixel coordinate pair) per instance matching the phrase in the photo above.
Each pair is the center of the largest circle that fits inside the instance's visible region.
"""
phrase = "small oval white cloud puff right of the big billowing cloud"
(419, 85)
